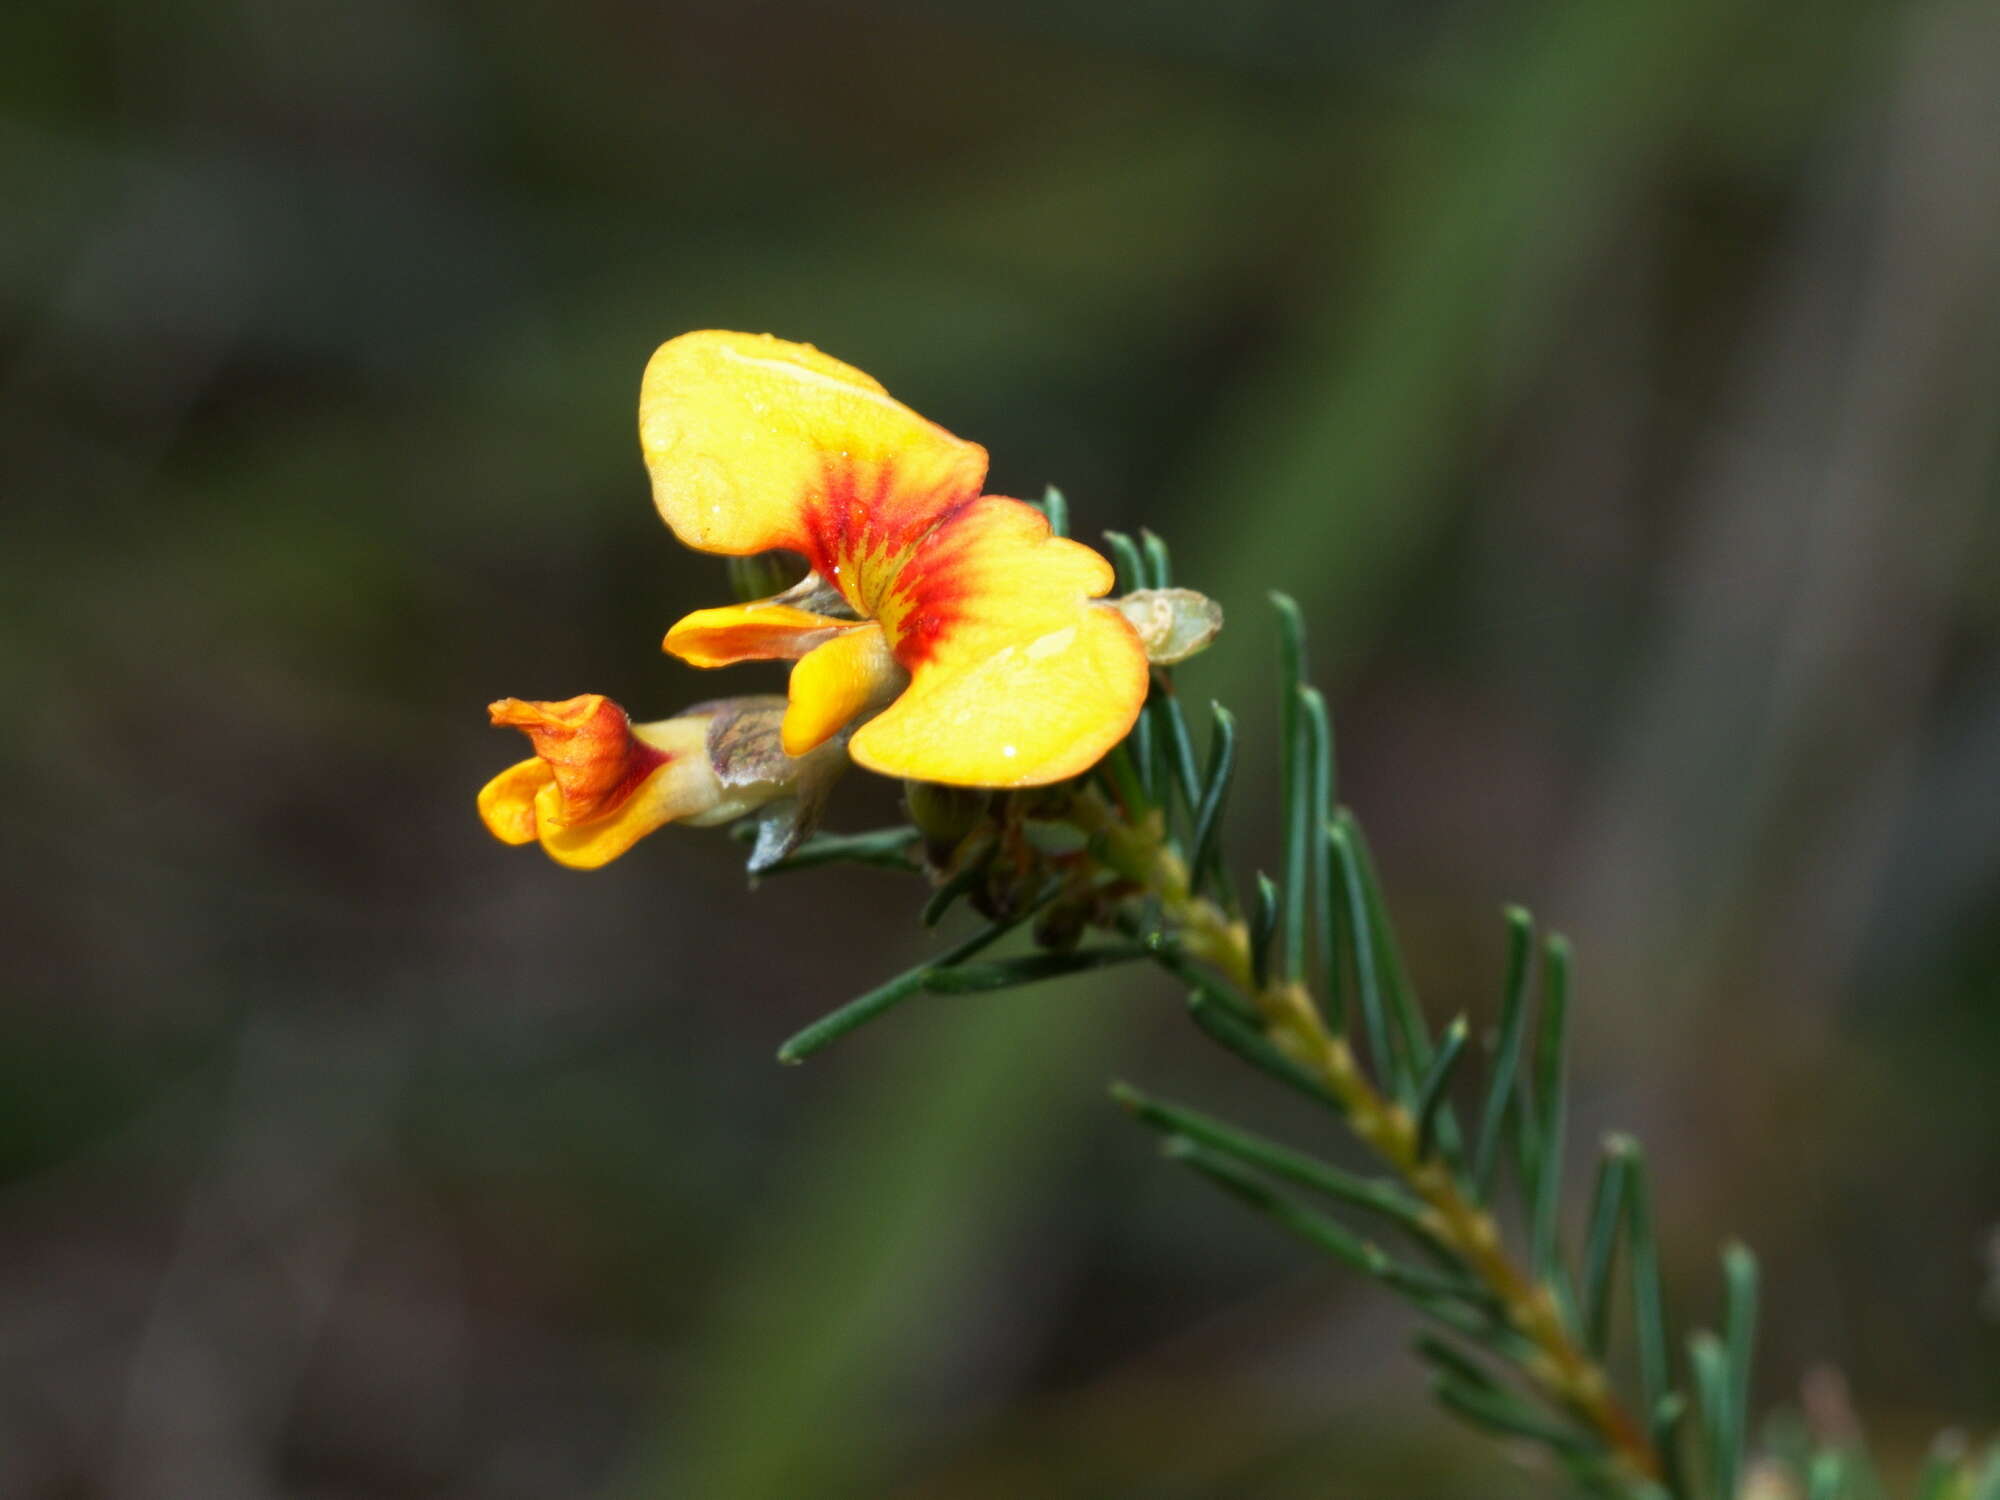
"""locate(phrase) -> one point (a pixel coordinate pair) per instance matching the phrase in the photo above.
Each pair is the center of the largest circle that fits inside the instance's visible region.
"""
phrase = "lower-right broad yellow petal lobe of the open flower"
(1017, 677)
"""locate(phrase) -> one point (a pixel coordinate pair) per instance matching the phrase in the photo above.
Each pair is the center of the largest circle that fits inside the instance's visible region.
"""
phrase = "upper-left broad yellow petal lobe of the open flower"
(755, 443)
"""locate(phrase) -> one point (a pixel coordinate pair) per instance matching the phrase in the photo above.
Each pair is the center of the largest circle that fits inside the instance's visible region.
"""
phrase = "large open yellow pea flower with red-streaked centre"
(953, 613)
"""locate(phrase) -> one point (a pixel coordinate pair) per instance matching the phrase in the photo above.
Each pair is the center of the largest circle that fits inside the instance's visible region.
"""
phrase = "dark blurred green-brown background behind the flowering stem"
(1617, 385)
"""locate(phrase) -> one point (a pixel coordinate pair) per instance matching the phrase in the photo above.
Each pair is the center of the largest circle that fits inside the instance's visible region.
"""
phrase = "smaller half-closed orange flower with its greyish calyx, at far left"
(599, 783)
